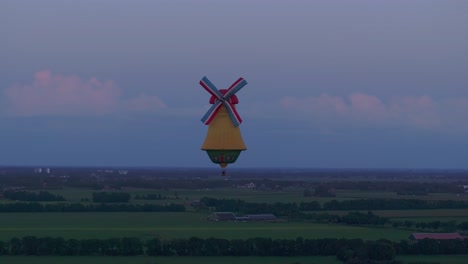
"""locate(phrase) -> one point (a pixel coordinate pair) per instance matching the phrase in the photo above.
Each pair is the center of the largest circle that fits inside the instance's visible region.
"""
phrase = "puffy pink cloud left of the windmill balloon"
(55, 94)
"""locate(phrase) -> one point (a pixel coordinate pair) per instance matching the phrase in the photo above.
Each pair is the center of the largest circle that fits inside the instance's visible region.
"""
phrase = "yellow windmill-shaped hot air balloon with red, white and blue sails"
(223, 142)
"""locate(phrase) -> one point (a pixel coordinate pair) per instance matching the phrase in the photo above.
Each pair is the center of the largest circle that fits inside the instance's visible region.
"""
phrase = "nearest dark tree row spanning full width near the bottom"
(344, 249)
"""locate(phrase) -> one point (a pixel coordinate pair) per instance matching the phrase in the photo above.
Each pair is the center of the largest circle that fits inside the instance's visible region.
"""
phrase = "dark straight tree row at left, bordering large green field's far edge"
(81, 207)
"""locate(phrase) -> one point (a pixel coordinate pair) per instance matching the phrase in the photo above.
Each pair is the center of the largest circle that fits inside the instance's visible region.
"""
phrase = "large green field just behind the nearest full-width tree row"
(173, 225)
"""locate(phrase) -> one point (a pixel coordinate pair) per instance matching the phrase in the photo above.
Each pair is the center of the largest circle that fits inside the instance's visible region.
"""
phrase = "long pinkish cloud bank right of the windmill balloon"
(414, 111)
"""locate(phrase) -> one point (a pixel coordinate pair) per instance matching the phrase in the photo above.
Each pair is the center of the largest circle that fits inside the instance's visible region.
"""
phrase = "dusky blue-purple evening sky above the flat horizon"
(331, 84)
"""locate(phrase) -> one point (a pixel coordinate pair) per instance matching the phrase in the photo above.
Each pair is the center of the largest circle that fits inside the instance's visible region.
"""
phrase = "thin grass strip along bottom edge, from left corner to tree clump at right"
(169, 260)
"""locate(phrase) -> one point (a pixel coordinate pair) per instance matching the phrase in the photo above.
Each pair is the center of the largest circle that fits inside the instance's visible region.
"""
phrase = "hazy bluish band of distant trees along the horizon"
(402, 181)
